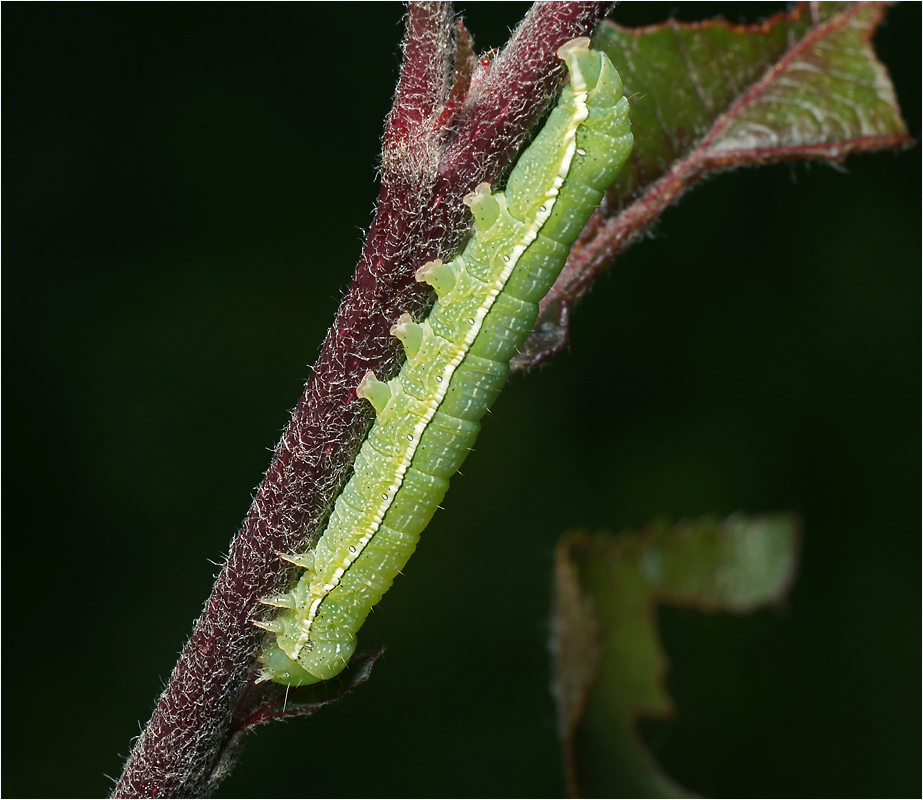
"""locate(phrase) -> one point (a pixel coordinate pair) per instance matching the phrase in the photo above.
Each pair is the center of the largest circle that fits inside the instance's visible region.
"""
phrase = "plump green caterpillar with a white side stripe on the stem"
(457, 362)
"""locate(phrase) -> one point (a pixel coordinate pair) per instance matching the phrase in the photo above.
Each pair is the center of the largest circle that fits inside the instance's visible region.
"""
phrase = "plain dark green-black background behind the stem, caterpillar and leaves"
(184, 192)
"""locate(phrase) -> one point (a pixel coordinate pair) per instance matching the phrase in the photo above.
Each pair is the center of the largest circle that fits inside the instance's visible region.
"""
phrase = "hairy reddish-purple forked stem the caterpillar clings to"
(437, 148)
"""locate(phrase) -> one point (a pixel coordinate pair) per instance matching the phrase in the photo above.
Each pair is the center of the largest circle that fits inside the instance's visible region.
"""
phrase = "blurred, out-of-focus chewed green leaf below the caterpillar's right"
(609, 662)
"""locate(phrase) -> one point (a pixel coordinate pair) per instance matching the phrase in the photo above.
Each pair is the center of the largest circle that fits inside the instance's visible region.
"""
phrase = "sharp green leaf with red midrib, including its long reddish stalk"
(711, 96)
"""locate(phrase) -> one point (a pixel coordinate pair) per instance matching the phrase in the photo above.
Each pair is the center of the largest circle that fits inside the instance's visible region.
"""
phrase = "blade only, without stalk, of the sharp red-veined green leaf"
(792, 86)
